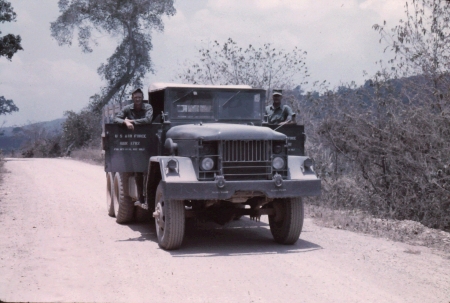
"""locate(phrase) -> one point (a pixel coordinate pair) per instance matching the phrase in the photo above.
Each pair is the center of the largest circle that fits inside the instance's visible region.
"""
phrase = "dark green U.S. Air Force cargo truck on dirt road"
(208, 154)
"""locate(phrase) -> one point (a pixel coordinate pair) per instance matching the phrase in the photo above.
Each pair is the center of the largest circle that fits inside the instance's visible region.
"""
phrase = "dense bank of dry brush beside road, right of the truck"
(386, 156)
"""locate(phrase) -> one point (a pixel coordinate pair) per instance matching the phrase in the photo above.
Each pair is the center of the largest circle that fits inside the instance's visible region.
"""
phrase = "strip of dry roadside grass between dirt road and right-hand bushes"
(407, 231)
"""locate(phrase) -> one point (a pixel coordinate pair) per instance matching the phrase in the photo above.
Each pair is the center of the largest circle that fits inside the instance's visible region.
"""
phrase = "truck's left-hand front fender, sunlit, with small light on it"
(184, 171)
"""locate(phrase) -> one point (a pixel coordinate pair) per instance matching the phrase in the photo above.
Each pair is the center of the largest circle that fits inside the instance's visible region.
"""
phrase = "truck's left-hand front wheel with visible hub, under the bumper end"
(169, 220)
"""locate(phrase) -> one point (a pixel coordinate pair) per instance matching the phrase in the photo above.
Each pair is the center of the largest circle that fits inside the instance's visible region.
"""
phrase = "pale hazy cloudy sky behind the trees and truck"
(45, 79)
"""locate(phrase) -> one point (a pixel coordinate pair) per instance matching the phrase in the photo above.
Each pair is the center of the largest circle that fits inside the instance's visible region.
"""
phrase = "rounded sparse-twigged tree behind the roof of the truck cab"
(265, 67)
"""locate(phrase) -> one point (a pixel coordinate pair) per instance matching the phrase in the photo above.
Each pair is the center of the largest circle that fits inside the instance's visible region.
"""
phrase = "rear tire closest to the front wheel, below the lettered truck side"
(123, 206)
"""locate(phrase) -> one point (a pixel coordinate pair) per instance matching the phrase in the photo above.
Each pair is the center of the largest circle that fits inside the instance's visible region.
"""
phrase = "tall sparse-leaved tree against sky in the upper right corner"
(421, 46)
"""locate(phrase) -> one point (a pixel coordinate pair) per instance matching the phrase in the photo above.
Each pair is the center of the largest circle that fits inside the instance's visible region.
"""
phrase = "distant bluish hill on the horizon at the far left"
(12, 138)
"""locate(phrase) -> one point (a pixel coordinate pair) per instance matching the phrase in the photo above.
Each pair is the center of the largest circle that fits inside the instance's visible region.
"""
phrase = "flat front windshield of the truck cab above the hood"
(215, 104)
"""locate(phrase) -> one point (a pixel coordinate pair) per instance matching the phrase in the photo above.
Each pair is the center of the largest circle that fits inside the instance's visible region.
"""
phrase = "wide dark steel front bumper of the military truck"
(208, 190)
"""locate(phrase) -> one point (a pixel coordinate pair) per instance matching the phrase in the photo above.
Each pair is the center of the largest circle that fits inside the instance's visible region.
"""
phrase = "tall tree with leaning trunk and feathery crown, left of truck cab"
(131, 21)
